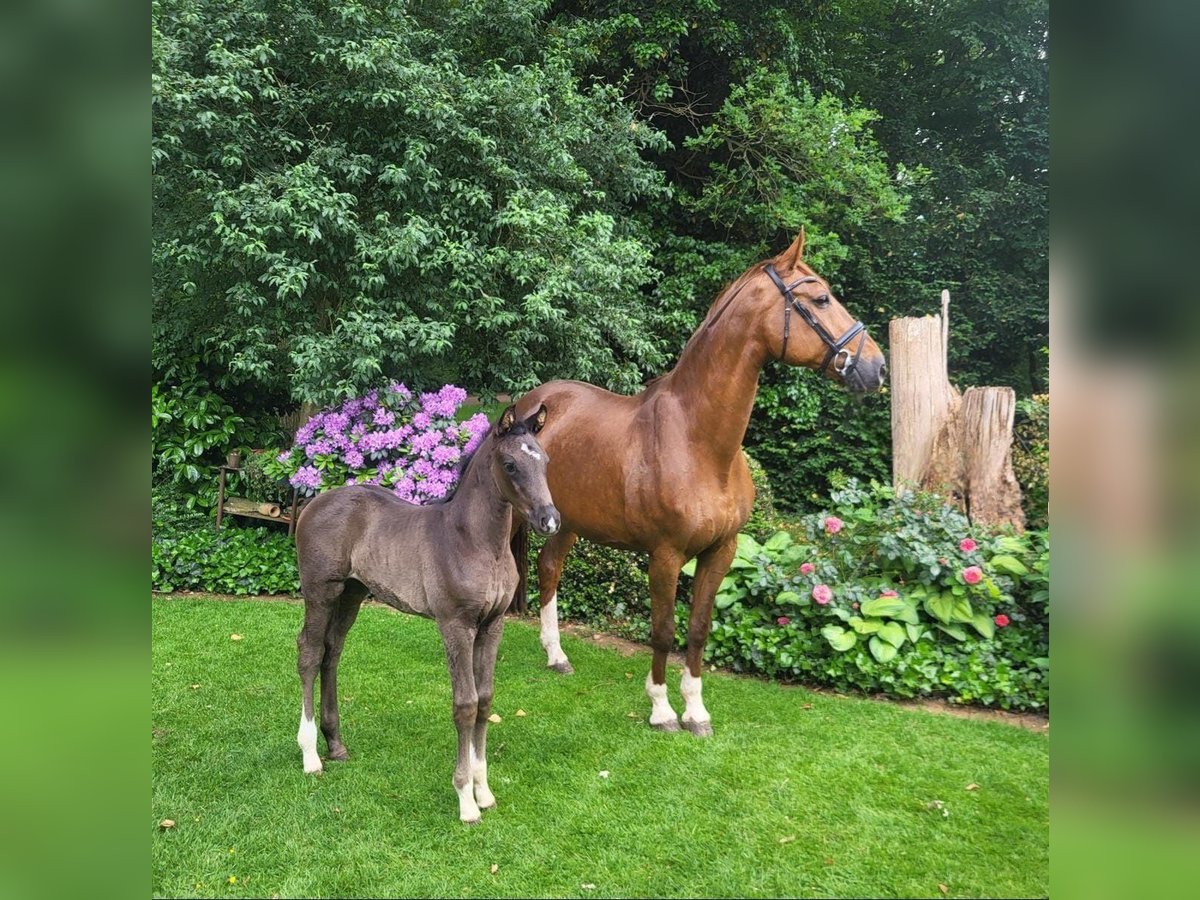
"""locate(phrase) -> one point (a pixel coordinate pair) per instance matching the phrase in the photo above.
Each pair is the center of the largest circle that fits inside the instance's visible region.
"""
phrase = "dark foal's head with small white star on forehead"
(519, 466)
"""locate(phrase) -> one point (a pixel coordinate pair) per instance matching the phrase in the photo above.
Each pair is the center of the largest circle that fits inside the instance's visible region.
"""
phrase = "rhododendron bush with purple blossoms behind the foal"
(391, 437)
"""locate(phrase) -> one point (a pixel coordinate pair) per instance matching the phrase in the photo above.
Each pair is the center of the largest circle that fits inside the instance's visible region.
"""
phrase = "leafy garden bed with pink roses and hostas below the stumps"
(893, 595)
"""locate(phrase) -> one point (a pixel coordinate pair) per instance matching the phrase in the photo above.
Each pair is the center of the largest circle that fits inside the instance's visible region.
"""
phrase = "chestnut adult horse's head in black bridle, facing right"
(806, 326)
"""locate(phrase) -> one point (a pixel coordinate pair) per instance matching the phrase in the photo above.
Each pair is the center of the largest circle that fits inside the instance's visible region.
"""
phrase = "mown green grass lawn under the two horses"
(799, 794)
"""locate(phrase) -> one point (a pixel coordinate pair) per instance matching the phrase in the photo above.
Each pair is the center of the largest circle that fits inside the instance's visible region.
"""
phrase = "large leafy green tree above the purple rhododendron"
(361, 189)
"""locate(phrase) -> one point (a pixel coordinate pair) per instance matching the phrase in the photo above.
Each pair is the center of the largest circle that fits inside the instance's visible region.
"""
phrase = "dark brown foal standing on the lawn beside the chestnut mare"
(451, 562)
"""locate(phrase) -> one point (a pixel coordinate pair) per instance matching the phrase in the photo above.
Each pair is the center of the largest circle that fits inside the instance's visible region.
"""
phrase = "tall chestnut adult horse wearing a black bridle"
(663, 472)
